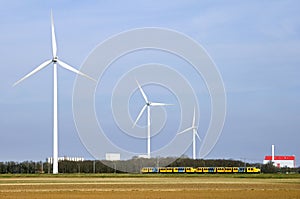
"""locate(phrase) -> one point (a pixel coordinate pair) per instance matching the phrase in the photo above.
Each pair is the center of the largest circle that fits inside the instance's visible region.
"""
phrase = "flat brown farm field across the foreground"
(149, 187)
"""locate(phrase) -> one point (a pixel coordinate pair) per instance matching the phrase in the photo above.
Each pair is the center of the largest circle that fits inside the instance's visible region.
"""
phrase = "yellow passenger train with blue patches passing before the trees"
(200, 170)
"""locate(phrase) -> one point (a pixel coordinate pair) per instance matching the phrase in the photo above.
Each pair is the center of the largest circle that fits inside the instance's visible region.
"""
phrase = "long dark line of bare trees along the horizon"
(133, 165)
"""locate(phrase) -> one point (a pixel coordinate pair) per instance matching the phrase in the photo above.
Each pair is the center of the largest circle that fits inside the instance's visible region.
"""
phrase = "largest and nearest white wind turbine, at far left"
(55, 61)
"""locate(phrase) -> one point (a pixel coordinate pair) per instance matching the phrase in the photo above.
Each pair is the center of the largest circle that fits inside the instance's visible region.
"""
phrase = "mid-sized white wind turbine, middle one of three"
(147, 105)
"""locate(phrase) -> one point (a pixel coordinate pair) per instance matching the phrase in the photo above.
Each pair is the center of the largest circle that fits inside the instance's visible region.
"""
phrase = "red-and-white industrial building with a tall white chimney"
(280, 161)
